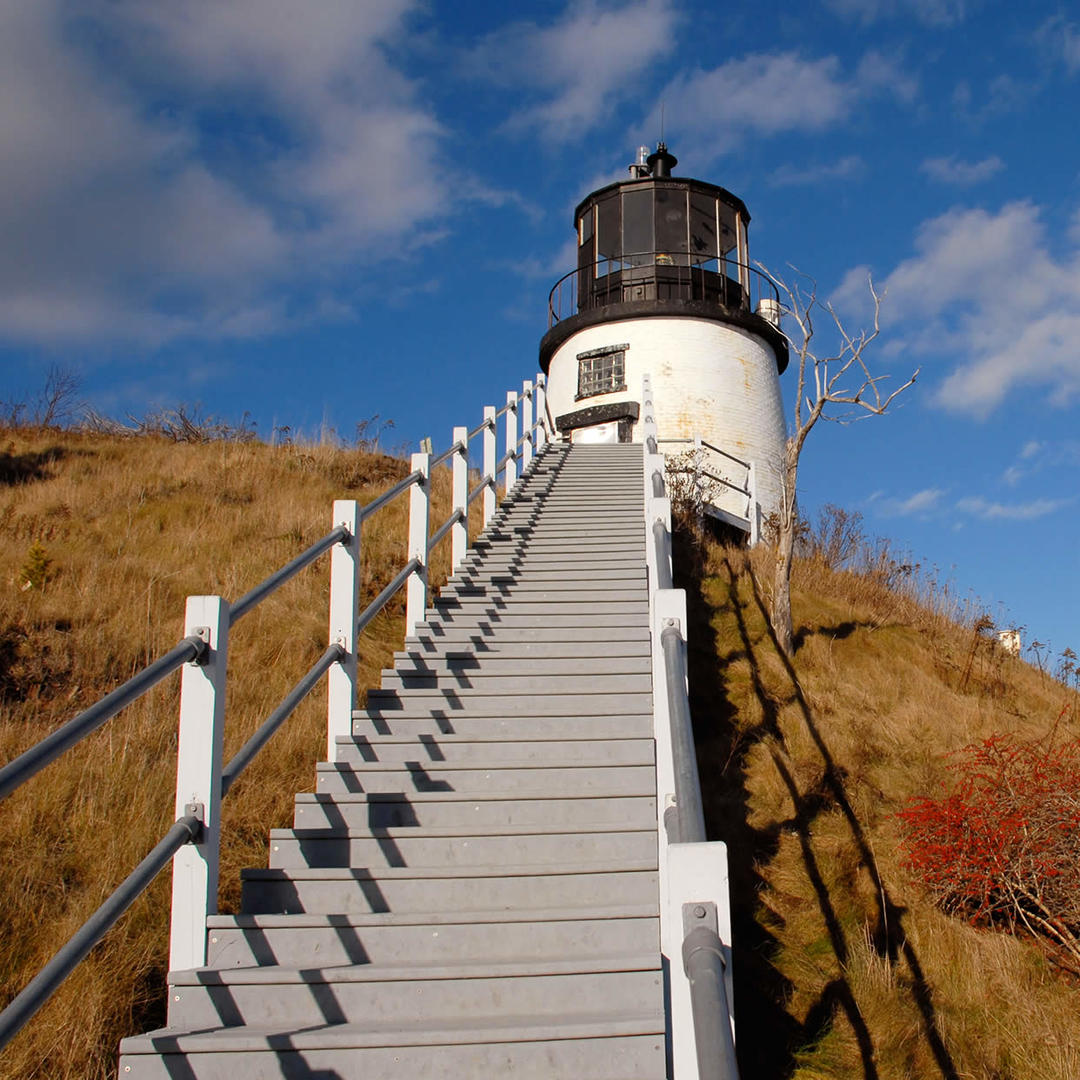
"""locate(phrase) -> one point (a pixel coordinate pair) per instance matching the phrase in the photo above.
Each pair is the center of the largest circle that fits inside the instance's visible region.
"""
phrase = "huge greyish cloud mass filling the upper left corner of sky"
(139, 222)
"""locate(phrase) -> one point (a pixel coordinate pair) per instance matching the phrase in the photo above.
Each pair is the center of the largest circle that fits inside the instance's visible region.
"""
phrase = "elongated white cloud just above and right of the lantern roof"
(773, 93)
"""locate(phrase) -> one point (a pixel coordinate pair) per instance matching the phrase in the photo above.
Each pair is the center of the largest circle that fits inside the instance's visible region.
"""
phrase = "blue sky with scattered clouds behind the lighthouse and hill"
(318, 212)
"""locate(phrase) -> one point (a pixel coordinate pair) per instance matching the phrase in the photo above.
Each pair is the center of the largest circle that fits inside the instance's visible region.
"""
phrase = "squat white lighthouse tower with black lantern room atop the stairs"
(665, 288)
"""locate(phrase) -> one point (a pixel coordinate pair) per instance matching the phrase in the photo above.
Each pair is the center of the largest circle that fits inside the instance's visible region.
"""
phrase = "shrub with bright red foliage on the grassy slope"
(1004, 847)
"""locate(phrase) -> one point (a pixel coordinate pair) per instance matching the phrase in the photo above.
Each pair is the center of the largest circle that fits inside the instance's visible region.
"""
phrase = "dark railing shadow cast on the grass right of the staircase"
(888, 936)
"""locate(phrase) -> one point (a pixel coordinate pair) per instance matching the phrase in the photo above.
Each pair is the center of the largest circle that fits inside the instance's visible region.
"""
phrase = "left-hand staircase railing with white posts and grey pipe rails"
(202, 780)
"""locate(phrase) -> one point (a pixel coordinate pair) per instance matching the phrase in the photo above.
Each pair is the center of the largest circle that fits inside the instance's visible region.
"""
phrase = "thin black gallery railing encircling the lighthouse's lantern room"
(664, 276)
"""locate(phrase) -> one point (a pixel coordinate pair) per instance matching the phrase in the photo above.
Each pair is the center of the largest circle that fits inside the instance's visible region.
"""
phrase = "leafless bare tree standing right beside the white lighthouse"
(840, 382)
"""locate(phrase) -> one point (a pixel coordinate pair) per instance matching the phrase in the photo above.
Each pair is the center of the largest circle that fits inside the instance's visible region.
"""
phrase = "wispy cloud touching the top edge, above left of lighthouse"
(582, 66)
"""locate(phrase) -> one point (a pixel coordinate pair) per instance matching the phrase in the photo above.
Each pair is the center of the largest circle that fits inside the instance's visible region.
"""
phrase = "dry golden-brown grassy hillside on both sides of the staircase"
(844, 969)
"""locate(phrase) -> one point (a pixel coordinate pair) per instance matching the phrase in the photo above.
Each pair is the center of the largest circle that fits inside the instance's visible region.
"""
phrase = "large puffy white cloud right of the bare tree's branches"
(985, 291)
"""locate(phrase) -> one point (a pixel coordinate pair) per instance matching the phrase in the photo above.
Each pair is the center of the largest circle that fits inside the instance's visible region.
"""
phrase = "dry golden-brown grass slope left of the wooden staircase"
(129, 529)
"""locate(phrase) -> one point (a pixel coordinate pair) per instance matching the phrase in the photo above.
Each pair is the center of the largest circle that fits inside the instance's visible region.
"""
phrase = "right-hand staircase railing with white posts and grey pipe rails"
(695, 914)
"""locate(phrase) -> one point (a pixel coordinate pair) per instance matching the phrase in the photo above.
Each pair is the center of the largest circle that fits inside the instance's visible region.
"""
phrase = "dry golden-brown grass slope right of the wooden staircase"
(843, 968)
